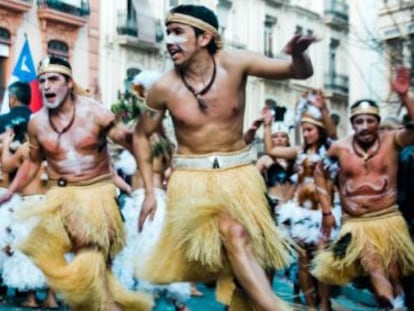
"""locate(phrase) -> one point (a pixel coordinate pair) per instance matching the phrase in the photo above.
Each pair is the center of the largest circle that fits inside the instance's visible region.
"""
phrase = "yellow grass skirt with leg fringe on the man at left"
(86, 221)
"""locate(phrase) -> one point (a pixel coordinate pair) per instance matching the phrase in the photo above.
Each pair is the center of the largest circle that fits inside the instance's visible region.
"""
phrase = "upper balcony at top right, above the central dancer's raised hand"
(336, 14)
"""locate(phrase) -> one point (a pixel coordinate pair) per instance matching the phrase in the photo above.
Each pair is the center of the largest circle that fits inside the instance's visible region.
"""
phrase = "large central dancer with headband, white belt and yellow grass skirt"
(218, 223)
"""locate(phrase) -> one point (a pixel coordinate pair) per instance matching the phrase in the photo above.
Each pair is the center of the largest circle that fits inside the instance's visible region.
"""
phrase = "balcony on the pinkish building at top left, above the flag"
(63, 13)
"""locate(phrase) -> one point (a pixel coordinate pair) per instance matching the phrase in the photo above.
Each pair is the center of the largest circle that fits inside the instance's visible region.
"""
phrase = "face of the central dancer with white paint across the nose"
(180, 42)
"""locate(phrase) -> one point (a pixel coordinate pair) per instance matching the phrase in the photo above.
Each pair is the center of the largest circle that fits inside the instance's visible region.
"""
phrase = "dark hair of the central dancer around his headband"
(203, 13)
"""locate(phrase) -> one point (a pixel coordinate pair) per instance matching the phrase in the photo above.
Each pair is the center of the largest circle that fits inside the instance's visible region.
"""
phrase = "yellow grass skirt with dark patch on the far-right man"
(381, 236)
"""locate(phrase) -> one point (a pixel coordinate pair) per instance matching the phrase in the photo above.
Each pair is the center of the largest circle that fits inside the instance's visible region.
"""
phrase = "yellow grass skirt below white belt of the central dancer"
(191, 248)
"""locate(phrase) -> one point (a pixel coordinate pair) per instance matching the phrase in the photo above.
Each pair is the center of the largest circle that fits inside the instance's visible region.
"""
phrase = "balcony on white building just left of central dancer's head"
(139, 31)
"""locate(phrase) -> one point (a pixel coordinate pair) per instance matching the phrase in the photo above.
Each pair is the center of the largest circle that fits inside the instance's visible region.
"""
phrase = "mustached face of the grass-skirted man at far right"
(366, 128)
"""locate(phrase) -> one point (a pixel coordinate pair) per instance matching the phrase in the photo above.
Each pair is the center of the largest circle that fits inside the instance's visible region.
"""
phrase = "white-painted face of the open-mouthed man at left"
(55, 89)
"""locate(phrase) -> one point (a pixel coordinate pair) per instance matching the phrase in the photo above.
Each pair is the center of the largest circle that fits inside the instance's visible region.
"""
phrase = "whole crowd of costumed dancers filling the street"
(106, 213)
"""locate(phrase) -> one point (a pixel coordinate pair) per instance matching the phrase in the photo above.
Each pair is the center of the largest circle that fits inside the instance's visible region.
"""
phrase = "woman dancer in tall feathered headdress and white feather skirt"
(301, 217)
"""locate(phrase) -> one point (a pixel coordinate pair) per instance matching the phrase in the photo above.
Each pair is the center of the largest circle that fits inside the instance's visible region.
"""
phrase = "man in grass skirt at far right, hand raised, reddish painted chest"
(374, 239)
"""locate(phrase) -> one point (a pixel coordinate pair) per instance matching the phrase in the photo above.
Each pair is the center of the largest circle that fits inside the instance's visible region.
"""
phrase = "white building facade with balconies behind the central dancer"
(133, 34)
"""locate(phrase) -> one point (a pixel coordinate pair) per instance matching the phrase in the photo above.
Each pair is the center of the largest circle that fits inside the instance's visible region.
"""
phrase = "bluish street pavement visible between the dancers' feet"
(345, 299)
